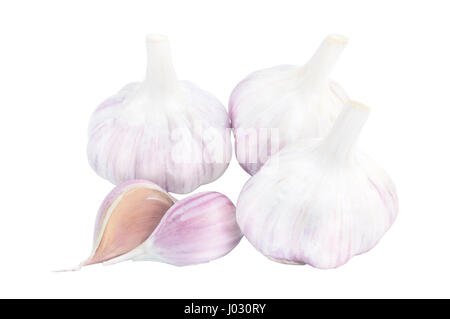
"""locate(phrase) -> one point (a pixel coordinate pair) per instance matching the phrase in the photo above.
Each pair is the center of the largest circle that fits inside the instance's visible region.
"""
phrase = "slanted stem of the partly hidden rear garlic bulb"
(322, 62)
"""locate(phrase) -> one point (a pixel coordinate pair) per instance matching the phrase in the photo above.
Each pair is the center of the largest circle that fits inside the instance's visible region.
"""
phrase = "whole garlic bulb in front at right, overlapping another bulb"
(319, 201)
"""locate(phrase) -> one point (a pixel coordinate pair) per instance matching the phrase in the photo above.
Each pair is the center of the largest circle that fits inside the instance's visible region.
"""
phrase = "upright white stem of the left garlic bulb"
(161, 80)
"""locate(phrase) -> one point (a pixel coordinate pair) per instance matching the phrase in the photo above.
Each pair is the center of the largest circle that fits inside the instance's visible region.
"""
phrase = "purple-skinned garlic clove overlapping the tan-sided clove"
(205, 227)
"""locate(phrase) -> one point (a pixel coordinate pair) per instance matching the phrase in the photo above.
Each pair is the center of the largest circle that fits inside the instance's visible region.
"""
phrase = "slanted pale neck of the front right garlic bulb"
(339, 145)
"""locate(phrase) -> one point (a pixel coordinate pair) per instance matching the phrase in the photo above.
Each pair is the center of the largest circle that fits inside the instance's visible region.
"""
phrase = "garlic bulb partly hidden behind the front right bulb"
(274, 107)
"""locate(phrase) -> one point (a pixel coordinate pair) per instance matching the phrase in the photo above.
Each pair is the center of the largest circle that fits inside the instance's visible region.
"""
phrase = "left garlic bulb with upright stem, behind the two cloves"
(162, 129)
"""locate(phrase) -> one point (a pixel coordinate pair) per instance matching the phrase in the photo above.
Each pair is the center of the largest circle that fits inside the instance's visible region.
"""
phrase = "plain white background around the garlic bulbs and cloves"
(60, 59)
